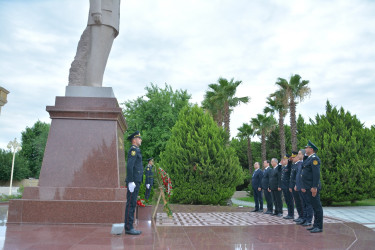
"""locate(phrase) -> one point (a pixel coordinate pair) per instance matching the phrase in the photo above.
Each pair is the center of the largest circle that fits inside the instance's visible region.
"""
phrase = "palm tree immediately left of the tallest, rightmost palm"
(278, 102)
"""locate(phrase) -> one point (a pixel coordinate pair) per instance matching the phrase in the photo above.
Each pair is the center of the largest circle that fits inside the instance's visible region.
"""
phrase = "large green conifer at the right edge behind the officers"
(347, 153)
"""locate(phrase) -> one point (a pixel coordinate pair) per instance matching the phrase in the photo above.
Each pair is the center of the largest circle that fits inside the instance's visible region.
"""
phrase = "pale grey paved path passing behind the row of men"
(362, 215)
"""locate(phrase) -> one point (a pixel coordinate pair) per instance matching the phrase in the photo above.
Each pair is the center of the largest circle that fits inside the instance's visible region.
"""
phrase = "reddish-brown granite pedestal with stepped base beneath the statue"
(83, 166)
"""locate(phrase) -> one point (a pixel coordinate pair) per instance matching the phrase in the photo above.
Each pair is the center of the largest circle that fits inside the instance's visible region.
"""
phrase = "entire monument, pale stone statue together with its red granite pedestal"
(83, 166)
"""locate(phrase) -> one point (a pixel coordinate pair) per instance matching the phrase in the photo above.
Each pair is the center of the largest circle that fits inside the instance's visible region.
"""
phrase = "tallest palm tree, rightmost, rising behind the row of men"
(295, 90)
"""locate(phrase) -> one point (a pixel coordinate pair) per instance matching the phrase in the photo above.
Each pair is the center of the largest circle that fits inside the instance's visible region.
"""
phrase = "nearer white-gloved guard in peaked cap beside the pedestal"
(134, 176)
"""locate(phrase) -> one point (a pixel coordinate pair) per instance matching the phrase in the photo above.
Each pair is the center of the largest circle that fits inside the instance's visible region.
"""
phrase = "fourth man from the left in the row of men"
(285, 178)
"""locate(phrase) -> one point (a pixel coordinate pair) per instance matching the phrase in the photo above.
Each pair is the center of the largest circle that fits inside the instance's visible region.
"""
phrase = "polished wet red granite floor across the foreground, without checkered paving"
(335, 236)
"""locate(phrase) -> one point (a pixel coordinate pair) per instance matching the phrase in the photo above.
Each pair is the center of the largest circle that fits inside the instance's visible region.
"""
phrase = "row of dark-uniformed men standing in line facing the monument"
(297, 177)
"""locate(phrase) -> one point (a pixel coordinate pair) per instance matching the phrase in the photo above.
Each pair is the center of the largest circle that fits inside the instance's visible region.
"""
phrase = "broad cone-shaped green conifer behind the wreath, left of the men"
(203, 169)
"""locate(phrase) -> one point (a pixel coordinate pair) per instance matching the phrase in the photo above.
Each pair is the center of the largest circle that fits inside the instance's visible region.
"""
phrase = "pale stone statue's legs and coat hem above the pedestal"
(95, 44)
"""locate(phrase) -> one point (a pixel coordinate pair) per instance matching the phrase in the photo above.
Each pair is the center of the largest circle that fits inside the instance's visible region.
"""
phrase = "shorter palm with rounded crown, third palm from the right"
(264, 125)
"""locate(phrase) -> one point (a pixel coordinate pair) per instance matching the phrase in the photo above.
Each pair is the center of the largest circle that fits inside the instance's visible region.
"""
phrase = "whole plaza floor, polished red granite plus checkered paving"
(276, 233)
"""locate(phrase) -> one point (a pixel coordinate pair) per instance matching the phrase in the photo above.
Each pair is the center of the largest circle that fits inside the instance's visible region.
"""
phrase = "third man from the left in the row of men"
(275, 187)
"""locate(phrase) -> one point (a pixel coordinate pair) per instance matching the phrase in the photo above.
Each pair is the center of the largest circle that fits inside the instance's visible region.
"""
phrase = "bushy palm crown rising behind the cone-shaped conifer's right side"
(222, 97)
